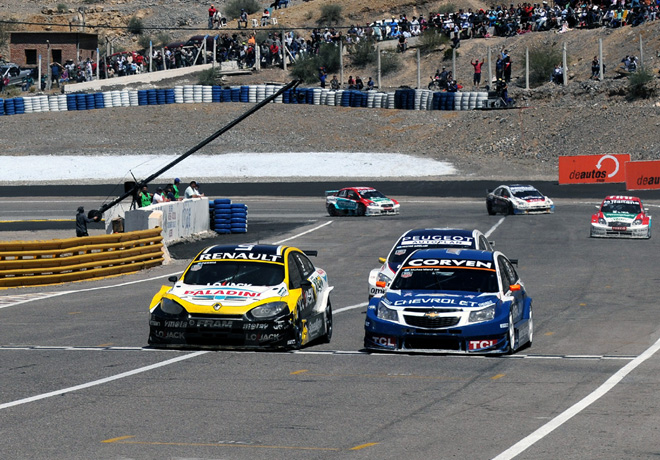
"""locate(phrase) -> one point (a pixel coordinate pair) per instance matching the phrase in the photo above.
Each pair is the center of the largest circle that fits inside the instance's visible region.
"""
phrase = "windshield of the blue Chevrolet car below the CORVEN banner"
(446, 279)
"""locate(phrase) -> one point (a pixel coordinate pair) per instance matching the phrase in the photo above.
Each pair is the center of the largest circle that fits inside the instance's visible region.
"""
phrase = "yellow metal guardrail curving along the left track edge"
(35, 263)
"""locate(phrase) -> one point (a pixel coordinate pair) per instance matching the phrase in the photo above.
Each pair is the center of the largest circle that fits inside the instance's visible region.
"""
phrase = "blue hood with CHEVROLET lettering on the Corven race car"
(439, 299)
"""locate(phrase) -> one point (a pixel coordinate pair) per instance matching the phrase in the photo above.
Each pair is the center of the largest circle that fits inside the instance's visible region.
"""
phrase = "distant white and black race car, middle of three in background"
(518, 199)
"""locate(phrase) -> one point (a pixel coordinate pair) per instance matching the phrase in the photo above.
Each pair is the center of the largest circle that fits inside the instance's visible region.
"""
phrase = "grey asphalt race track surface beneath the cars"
(78, 381)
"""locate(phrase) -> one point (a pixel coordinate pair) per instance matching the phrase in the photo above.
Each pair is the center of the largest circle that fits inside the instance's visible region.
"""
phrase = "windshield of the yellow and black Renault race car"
(235, 272)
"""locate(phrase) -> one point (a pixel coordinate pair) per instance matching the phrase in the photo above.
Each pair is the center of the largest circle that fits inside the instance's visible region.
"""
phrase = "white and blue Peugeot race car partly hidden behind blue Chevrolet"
(421, 238)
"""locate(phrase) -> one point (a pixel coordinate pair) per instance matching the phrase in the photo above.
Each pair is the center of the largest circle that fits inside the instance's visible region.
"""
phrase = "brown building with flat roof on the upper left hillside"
(26, 47)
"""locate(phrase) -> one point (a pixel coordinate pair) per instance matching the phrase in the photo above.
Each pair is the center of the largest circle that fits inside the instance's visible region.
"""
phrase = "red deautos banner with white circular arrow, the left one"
(592, 169)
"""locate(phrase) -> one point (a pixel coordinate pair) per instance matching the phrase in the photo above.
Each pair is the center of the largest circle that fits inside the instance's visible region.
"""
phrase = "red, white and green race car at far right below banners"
(621, 217)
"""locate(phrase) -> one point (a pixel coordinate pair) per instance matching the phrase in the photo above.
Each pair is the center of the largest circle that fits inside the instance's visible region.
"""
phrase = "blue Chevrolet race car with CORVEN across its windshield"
(452, 301)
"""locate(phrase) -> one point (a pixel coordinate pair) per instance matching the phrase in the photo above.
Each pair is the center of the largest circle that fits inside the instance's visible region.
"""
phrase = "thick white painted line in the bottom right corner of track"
(578, 407)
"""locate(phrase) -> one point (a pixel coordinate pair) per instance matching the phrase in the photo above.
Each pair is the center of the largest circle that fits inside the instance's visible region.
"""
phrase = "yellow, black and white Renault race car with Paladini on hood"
(245, 296)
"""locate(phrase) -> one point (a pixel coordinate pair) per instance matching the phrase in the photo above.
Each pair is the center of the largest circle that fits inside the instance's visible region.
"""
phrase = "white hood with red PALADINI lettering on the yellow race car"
(227, 295)
